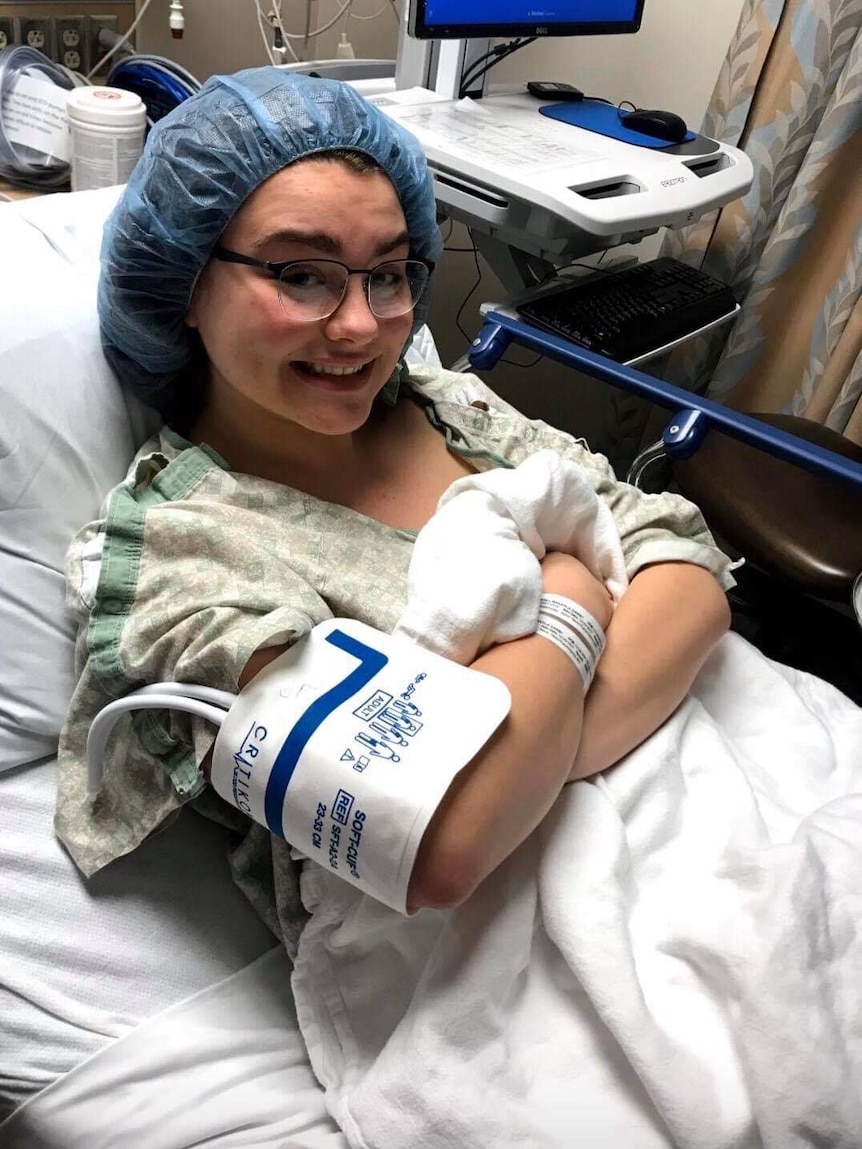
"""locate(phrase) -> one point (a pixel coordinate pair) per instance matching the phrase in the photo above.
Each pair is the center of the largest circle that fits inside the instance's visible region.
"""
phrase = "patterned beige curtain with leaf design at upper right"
(790, 95)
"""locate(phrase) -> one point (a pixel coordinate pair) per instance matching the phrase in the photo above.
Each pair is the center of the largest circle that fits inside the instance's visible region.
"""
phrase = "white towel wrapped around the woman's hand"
(475, 576)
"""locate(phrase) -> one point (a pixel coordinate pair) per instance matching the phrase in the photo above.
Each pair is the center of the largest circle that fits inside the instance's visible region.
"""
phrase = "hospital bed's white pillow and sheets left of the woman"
(90, 967)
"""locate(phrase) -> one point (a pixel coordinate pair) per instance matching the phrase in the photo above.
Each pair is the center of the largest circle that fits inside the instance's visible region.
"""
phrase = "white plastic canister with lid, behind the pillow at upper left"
(107, 128)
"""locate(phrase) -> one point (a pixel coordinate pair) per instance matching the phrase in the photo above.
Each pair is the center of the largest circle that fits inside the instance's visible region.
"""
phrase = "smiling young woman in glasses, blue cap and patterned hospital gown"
(263, 275)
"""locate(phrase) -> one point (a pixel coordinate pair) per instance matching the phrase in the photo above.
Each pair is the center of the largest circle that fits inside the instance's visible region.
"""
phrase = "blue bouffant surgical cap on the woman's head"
(201, 164)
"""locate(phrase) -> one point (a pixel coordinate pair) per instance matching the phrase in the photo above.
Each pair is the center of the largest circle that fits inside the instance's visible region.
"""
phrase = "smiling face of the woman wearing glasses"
(268, 373)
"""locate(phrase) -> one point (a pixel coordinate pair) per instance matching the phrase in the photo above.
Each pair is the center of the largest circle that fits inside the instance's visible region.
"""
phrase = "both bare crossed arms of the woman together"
(663, 631)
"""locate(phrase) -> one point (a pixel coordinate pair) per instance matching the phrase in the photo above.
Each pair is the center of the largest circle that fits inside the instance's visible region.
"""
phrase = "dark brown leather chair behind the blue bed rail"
(802, 537)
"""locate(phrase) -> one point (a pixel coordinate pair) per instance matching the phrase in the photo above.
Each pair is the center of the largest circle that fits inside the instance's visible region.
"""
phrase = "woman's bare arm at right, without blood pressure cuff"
(663, 631)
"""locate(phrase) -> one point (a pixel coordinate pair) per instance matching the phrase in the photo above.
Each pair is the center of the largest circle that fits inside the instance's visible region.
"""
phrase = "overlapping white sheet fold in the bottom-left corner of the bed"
(226, 1069)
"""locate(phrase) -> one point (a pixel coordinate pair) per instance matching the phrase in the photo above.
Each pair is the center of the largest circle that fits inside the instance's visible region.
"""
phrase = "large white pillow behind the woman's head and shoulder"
(67, 435)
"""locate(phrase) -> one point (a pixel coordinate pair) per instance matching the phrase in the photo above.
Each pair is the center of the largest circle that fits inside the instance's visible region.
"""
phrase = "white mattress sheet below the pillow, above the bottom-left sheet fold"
(82, 963)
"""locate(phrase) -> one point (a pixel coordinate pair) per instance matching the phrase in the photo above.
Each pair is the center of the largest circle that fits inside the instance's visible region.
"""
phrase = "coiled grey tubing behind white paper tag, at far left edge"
(26, 167)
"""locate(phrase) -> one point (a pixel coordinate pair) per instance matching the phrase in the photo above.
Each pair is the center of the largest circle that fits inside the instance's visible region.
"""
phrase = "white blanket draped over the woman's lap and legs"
(673, 959)
